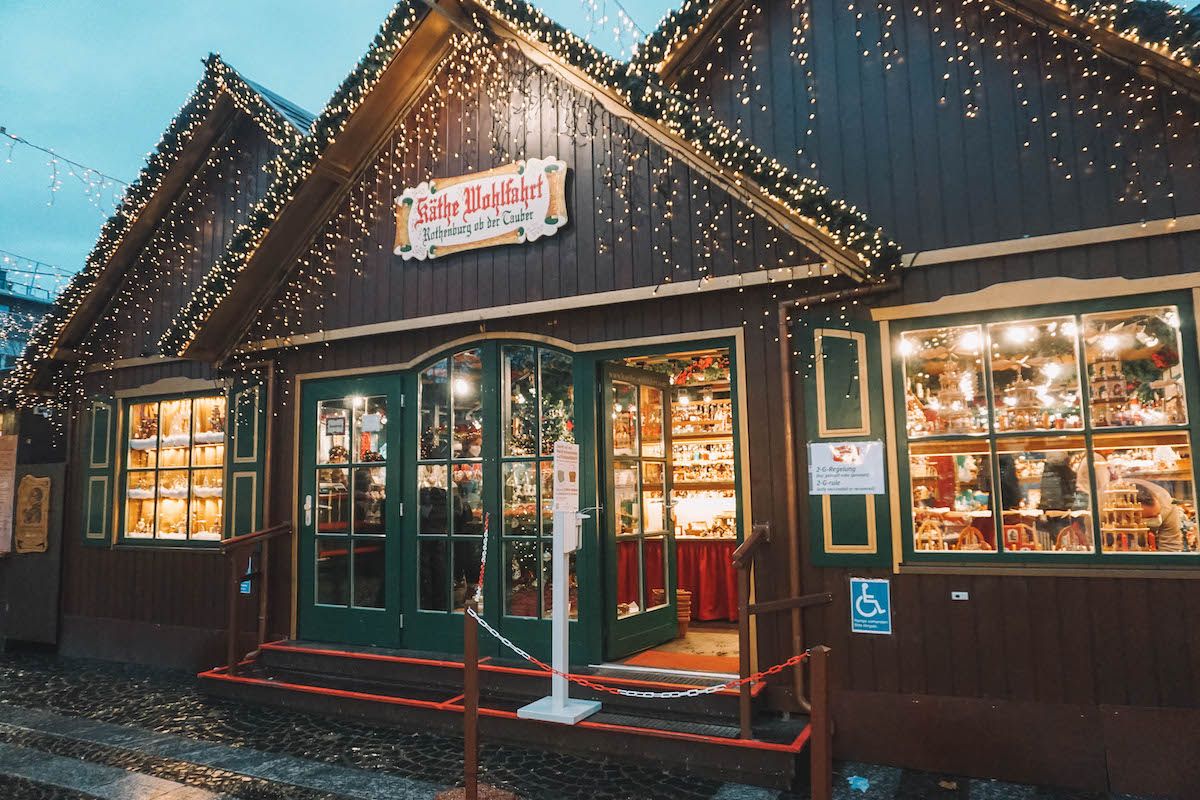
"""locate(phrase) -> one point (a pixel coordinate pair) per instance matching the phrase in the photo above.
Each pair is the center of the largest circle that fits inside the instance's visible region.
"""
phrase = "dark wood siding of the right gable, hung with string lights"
(1047, 139)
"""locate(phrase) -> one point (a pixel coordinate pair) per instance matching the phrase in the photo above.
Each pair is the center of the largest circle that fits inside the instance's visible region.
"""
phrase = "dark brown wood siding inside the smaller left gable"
(189, 240)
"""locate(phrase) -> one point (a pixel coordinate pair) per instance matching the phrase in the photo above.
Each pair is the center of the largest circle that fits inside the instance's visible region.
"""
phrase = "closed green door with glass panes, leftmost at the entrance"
(351, 473)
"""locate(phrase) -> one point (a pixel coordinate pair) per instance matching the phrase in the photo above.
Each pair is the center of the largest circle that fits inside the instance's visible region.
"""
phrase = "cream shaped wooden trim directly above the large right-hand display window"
(1019, 294)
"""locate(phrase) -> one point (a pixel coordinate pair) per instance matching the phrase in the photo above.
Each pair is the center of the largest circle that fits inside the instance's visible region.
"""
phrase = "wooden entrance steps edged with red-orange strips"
(424, 691)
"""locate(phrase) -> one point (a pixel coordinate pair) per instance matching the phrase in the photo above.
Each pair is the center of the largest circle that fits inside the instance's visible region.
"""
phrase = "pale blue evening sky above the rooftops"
(100, 82)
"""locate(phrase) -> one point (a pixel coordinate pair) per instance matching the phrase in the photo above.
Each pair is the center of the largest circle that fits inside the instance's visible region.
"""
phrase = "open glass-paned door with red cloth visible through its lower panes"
(640, 538)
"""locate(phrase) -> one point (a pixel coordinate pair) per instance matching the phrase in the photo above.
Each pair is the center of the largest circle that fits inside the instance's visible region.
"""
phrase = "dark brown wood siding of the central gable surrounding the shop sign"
(638, 216)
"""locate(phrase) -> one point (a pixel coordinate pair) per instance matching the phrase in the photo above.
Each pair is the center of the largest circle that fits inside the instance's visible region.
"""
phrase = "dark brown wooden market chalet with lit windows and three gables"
(823, 292)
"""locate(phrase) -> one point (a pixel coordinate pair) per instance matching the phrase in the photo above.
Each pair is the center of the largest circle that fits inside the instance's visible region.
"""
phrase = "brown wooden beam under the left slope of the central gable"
(400, 87)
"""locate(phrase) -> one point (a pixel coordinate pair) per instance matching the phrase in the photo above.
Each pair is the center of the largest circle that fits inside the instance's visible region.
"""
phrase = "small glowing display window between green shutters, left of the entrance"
(175, 471)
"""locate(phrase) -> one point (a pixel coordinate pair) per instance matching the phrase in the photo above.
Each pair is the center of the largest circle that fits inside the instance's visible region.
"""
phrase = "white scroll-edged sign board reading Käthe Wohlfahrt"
(507, 206)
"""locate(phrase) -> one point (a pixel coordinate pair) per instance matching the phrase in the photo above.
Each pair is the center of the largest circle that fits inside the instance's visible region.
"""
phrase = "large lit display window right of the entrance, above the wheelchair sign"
(1049, 437)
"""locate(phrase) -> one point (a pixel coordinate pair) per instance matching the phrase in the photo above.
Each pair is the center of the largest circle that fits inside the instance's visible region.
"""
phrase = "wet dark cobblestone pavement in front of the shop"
(80, 730)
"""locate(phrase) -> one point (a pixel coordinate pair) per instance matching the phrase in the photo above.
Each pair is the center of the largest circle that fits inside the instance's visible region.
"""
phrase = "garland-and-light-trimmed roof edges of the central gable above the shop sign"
(418, 34)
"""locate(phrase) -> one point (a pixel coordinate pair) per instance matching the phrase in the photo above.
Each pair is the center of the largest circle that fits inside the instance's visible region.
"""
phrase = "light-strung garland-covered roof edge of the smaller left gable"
(182, 151)
